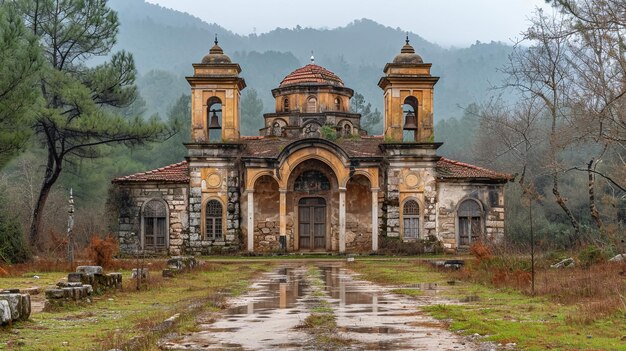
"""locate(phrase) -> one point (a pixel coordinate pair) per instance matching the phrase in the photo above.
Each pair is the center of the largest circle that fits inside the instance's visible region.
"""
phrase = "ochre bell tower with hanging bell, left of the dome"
(215, 93)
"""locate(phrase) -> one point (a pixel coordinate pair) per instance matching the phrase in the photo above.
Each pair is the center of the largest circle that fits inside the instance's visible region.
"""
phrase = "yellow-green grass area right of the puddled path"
(505, 315)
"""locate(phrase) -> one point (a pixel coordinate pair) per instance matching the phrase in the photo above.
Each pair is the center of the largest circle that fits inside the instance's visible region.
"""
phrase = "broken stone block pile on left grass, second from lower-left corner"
(83, 283)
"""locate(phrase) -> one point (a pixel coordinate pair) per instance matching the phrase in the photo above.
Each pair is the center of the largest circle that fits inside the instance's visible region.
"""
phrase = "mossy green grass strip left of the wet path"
(119, 317)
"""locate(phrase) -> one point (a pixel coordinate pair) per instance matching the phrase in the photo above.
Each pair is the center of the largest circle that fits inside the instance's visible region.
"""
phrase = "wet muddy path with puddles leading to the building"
(350, 314)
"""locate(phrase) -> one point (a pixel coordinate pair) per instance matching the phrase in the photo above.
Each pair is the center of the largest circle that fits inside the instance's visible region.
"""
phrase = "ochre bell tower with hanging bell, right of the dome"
(408, 92)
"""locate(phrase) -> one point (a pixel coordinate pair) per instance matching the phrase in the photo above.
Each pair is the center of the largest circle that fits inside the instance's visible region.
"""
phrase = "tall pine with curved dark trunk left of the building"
(81, 103)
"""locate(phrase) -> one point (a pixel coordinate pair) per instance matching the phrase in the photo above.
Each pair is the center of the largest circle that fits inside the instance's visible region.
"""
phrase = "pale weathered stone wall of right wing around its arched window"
(451, 195)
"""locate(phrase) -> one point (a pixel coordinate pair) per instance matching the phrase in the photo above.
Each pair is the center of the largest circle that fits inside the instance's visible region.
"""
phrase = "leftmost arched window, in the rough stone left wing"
(154, 225)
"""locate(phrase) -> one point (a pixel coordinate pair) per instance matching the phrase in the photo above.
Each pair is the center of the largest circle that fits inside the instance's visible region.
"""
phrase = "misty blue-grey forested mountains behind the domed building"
(170, 41)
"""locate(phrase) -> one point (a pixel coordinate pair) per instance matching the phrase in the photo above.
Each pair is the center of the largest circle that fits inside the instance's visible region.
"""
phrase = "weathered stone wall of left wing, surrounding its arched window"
(176, 198)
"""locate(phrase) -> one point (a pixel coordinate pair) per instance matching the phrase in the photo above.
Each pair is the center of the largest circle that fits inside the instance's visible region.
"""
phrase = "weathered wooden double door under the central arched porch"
(312, 223)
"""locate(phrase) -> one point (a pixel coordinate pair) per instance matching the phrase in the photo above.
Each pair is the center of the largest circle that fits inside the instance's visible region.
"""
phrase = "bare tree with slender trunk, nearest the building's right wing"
(543, 71)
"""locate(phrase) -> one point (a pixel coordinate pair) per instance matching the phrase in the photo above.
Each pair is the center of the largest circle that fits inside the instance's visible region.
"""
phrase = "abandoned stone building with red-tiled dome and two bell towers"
(313, 180)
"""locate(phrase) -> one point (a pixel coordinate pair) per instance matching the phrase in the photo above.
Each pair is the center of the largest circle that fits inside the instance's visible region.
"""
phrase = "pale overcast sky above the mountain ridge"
(446, 22)
